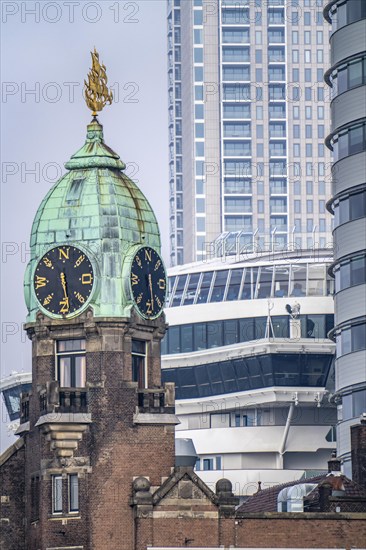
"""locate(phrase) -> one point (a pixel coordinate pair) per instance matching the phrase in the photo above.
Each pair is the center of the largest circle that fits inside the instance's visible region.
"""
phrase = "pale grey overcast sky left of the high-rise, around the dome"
(45, 51)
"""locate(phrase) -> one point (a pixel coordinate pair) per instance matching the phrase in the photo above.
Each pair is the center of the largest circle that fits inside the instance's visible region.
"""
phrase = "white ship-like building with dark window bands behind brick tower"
(247, 349)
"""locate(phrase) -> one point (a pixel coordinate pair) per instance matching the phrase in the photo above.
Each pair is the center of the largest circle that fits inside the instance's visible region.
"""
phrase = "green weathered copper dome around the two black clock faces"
(98, 209)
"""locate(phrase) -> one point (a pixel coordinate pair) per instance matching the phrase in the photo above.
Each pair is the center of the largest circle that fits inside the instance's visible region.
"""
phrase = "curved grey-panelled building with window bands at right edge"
(347, 140)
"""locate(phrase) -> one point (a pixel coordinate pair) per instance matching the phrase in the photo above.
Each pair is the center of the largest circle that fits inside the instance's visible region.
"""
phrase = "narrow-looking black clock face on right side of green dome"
(148, 282)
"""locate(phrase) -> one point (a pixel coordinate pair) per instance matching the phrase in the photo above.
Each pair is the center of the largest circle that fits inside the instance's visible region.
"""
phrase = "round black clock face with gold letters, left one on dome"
(63, 280)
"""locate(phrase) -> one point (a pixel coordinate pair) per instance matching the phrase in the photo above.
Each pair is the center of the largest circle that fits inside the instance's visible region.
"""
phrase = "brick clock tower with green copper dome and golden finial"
(97, 416)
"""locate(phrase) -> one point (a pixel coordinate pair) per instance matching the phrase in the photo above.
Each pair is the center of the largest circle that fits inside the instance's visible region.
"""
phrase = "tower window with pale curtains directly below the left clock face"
(71, 364)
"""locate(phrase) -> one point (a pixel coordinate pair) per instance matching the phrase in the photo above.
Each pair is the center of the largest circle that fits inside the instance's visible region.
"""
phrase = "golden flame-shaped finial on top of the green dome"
(96, 92)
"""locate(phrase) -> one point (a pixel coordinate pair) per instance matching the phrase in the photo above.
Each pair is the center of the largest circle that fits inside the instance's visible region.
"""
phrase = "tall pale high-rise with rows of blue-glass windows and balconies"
(247, 116)
